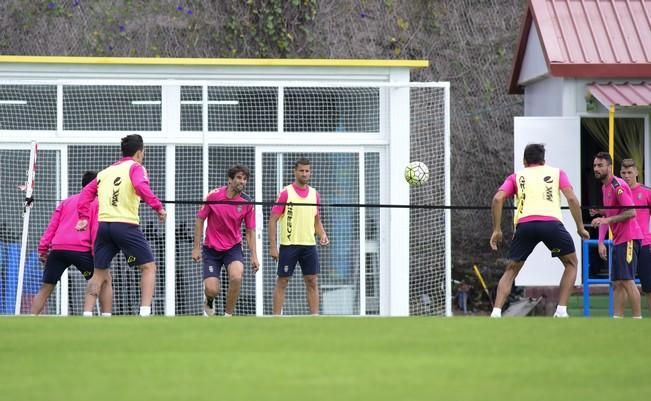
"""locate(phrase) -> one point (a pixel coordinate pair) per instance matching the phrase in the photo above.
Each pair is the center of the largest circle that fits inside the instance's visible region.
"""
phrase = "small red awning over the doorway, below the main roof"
(626, 94)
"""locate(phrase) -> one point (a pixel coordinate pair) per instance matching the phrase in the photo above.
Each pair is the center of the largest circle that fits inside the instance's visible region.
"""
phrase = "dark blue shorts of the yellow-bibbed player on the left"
(114, 237)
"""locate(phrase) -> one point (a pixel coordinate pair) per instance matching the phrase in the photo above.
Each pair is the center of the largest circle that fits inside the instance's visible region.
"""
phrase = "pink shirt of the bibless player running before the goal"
(224, 229)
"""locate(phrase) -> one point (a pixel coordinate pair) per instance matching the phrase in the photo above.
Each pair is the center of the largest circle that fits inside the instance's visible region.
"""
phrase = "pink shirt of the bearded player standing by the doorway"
(618, 193)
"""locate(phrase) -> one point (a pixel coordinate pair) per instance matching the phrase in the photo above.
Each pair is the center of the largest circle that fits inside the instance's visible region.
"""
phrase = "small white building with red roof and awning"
(576, 60)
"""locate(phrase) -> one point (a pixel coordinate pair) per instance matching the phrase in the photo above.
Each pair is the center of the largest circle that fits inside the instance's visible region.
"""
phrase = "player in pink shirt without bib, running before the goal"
(223, 242)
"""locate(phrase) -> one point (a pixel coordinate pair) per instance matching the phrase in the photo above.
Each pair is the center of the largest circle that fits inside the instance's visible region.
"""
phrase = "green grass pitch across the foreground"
(470, 358)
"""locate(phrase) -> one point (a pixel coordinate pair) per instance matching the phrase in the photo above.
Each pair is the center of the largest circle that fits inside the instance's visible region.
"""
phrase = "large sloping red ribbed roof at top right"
(589, 38)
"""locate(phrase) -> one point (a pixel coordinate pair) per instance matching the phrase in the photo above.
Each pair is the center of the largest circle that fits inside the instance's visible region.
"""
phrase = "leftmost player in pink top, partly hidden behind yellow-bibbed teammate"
(62, 246)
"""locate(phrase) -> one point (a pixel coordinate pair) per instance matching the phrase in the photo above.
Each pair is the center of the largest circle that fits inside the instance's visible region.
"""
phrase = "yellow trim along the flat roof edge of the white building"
(215, 61)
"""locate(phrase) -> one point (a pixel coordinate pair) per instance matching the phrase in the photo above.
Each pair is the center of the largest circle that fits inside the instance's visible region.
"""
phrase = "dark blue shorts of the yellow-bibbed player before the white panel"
(551, 233)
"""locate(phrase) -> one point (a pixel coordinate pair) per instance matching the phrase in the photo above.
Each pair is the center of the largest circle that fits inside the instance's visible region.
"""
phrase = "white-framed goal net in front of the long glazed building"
(218, 127)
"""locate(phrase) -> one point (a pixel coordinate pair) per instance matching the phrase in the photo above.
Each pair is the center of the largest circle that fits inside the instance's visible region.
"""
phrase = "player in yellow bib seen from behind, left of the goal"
(119, 189)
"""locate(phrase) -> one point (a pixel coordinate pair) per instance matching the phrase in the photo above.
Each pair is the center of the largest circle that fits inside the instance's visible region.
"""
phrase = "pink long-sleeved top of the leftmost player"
(61, 234)
